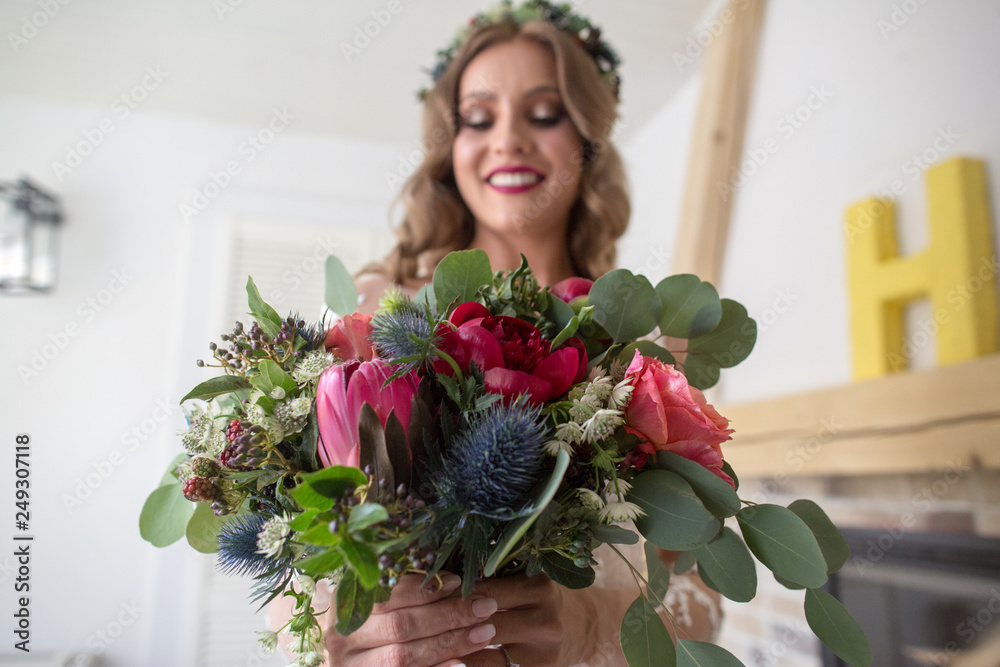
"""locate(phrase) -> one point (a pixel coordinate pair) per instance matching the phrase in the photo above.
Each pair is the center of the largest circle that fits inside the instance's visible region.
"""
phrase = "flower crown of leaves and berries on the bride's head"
(561, 16)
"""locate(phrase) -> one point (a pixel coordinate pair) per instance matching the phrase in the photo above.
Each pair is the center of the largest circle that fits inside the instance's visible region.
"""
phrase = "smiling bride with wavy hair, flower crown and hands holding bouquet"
(517, 125)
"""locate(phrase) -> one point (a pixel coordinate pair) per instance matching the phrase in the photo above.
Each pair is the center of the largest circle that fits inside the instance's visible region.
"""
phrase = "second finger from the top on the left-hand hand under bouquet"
(411, 623)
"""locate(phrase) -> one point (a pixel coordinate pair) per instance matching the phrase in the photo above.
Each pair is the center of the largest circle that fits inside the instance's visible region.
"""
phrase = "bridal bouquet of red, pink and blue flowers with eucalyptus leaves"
(486, 427)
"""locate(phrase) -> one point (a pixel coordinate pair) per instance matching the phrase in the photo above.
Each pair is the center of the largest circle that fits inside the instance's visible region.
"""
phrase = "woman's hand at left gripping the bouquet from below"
(417, 628)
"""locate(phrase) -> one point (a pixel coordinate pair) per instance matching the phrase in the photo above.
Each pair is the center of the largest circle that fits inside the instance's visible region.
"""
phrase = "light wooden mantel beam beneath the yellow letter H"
(909, 422)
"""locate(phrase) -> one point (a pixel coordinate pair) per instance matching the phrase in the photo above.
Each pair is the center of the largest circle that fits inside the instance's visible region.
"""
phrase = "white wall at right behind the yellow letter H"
(889, 93)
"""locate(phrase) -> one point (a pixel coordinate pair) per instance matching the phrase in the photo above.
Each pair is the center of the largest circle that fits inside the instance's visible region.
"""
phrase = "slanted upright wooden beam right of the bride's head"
(717, 145)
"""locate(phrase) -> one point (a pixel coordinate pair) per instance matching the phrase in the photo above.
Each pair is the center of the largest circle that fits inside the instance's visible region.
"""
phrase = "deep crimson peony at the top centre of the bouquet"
(512, 354)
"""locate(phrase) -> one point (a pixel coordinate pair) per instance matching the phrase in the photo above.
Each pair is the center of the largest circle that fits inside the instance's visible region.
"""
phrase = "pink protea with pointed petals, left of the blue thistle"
(342, 390)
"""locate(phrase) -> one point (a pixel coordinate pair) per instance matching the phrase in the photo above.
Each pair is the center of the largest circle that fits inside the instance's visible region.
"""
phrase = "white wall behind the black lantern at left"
(122, 214)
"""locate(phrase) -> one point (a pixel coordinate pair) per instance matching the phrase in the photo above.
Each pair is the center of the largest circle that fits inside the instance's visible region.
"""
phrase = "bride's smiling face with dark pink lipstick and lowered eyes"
(517, 155)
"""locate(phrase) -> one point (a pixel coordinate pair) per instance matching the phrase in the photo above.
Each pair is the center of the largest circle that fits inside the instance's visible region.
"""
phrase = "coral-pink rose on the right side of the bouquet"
(669, 415)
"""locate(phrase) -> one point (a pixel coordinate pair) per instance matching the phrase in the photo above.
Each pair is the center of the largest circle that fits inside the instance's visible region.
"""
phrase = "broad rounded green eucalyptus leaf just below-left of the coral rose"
(675, 519)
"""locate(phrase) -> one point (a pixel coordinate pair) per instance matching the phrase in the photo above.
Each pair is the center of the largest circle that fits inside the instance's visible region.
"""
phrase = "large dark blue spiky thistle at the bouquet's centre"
(493, 462)
